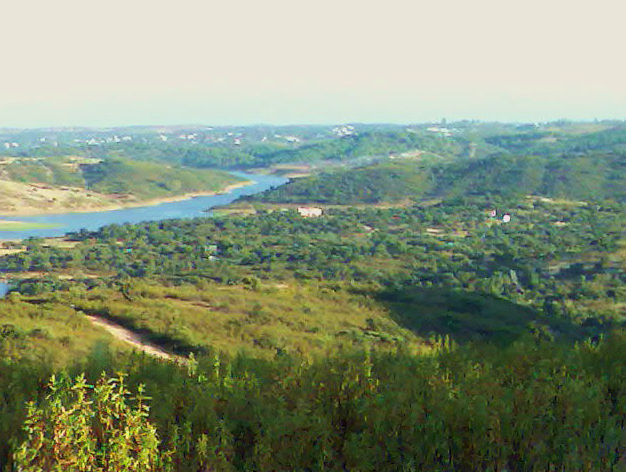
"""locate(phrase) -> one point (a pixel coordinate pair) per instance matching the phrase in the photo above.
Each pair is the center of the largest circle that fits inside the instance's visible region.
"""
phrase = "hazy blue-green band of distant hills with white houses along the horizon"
(263, 145)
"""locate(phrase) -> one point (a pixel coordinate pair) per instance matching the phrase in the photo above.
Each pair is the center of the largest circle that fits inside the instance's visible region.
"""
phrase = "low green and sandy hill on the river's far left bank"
(62, 184)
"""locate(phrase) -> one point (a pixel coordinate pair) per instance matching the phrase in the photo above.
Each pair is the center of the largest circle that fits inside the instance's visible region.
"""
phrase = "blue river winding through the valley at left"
(190, 208)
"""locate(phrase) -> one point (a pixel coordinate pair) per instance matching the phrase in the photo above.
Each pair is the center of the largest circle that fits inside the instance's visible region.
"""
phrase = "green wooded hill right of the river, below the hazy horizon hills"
(592, 176)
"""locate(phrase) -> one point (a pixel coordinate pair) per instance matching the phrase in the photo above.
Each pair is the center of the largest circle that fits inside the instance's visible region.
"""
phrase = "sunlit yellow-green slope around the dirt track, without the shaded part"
(302, 319)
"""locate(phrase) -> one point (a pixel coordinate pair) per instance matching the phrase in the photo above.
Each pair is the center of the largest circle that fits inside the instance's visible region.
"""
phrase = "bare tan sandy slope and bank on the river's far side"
(20, 199)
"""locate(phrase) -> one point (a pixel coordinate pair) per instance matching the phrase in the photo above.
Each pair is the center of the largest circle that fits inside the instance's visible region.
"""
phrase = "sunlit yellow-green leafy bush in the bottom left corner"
(89, 428)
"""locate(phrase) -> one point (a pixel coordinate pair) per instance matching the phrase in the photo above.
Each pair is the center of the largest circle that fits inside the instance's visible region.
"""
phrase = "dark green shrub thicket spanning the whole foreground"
(531, 406)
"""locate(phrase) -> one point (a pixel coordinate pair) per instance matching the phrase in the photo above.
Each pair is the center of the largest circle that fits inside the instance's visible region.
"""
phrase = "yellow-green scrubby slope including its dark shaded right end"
(305, 319)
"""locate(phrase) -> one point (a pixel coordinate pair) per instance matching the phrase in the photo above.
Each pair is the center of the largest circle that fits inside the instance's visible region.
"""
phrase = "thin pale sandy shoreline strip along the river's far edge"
(123, 206)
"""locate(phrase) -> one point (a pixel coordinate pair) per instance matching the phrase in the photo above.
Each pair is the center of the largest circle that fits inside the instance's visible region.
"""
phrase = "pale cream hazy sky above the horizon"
(240, 62)
